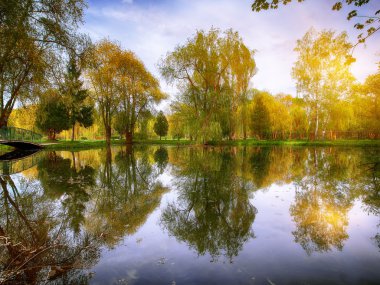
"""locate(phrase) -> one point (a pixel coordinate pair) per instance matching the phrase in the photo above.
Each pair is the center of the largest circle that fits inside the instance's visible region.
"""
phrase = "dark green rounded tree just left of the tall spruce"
(52, 114)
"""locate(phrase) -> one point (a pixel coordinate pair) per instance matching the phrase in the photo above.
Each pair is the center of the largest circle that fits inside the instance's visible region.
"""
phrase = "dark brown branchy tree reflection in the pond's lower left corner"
(36, 243)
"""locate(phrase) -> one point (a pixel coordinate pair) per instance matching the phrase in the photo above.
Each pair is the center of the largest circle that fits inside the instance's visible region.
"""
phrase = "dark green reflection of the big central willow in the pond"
(213, 213)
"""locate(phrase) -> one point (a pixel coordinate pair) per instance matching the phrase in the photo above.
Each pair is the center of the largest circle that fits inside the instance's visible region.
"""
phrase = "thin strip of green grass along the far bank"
(69, 145)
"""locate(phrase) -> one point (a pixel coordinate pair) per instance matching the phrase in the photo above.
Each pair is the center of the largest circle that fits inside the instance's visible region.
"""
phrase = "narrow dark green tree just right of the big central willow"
(260, 120)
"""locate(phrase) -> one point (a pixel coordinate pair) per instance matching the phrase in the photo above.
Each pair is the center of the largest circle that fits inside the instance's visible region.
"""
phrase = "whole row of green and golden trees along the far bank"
(109, 90)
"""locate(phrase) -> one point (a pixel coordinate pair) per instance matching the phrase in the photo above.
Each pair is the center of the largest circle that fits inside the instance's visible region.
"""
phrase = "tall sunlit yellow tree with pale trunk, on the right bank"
(322, 73)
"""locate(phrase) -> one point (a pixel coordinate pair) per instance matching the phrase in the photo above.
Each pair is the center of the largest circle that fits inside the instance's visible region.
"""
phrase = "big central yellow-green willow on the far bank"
(212, 71)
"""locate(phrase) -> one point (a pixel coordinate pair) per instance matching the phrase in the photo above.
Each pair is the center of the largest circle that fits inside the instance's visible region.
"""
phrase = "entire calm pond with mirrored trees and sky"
(192, 215)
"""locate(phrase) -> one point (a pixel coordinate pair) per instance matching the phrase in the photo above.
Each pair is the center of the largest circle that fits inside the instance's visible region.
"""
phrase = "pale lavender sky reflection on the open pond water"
(152, 256)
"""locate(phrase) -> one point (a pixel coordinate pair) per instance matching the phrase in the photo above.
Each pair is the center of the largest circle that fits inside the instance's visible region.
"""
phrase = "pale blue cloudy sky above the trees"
(152, 28)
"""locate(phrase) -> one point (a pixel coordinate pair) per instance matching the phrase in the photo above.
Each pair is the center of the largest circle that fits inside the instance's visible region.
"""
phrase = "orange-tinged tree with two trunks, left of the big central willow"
(121, 85)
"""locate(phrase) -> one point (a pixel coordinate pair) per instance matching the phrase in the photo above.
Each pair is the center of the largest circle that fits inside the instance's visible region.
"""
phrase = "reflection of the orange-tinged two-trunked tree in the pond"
(127, 193)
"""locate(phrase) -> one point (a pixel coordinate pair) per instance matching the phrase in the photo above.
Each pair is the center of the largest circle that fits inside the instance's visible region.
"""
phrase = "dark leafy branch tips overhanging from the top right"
(372, 22)
